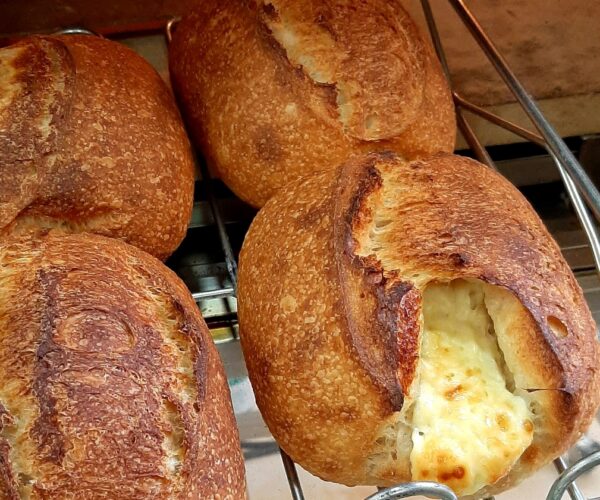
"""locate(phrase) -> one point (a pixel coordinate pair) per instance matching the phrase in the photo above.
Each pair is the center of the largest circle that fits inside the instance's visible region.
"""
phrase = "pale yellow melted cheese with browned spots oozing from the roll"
(468, 428)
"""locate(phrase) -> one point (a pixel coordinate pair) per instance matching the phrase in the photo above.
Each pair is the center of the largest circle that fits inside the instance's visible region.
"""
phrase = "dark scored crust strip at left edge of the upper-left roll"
(37, 81)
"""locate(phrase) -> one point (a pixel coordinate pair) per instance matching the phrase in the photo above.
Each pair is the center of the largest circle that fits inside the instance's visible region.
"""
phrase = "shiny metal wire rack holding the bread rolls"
(582, 192)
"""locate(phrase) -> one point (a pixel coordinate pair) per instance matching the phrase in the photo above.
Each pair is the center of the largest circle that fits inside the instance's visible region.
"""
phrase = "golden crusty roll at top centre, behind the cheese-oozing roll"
(274, 90)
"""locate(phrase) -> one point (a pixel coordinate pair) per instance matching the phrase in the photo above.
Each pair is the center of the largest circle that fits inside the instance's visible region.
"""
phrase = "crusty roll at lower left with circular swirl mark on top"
(110, 384)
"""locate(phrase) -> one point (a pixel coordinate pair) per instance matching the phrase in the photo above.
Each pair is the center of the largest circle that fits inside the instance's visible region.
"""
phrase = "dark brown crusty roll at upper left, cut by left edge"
(91, 140)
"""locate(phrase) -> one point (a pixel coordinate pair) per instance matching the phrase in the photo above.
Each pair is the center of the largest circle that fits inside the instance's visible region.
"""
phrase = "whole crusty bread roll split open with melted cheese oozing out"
(415, 320)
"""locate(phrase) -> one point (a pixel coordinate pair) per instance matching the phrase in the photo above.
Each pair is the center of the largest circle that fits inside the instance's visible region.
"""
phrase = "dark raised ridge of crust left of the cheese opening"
(388, 308)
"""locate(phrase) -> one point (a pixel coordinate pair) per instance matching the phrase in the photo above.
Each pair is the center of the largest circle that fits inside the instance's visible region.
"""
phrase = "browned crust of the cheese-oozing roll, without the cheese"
(331, 333)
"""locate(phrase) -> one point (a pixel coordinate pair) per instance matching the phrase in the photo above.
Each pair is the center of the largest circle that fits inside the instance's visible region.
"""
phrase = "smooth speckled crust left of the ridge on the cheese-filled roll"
(300, 329)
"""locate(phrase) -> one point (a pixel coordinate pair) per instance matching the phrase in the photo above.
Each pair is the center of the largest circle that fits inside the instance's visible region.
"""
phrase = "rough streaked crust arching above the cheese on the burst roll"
(465, 228)
